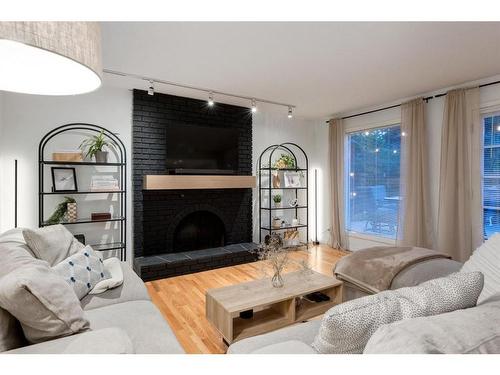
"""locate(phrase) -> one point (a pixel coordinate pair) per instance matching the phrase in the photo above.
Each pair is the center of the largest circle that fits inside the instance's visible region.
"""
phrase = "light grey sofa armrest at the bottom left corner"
(102, 341)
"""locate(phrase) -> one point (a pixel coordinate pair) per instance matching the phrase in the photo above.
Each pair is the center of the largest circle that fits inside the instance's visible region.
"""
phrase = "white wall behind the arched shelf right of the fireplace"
(312, 135)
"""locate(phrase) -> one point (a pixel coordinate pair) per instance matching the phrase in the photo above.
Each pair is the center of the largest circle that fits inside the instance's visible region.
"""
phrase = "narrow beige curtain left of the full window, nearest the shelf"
(336, 151)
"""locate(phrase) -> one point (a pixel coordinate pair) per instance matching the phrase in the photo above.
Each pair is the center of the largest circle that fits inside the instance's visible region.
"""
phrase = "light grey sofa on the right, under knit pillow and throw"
(475, 330)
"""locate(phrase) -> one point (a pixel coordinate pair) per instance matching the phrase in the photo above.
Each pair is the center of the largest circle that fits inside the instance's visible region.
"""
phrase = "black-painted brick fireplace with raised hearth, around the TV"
(185, 231)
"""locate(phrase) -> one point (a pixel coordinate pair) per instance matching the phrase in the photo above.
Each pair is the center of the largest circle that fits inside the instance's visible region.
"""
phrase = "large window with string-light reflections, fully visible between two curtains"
(372, 196)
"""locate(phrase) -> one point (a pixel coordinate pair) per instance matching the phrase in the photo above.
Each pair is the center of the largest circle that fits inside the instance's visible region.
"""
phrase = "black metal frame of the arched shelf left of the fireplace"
(121, 163)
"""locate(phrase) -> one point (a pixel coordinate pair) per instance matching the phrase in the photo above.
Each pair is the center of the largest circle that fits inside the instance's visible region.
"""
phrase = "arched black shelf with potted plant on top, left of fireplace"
(98, 138)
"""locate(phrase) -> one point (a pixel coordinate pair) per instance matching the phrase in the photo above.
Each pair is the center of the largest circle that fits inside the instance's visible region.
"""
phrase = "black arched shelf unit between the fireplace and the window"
(275, 161)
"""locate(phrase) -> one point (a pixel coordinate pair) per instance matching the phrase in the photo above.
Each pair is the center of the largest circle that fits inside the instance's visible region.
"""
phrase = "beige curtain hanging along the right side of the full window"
(415, 225)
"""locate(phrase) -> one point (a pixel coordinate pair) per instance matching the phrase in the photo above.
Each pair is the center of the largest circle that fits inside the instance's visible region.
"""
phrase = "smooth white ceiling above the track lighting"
(322, 68)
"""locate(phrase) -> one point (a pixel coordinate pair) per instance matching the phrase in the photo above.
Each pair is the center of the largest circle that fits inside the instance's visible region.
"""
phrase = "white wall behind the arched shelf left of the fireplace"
(27, 118)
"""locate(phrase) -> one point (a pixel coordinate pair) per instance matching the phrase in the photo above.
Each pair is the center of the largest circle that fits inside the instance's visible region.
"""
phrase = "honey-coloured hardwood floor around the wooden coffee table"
(181, 299)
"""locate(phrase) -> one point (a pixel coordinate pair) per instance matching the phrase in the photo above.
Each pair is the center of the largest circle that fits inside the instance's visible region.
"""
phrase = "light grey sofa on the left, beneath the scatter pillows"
(122, 320)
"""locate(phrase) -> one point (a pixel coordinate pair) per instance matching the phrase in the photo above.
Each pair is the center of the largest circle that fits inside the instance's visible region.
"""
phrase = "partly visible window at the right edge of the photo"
(491, 174)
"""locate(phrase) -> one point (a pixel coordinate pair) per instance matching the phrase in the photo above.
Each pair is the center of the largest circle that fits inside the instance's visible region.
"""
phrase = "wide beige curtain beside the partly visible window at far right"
(460, 198)
